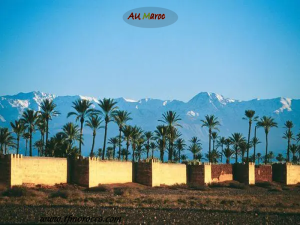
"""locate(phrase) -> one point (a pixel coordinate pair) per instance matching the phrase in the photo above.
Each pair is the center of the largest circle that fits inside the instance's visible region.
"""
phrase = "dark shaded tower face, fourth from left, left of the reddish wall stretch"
(195, 175)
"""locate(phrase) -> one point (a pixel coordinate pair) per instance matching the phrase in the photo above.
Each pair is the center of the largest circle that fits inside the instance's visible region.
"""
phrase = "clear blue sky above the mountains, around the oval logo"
(240, 49)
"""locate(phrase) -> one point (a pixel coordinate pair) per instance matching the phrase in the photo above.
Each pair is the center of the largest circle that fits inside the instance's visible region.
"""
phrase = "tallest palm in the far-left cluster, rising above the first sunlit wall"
(48, 111)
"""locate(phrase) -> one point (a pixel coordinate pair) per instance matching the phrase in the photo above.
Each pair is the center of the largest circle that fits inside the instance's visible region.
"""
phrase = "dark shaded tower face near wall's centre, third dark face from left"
(142, 173)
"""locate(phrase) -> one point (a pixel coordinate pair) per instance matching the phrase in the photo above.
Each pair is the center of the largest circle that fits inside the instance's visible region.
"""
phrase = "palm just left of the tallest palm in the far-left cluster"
(29, 119)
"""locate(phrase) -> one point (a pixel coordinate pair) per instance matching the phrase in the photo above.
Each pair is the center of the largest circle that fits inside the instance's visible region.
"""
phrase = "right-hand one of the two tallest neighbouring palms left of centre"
(108, 110)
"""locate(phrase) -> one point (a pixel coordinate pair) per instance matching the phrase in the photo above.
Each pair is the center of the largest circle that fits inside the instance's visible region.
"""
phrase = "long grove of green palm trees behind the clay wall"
(135, 143)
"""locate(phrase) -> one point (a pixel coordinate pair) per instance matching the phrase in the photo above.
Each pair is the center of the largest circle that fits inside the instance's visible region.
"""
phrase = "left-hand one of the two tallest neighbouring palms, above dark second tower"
(83, 109)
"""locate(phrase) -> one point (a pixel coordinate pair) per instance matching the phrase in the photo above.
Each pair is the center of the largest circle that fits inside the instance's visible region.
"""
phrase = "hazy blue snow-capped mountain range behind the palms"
(146, 113)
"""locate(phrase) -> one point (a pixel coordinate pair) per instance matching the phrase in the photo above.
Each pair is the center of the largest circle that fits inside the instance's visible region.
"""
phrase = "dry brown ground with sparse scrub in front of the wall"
(227, 203)
